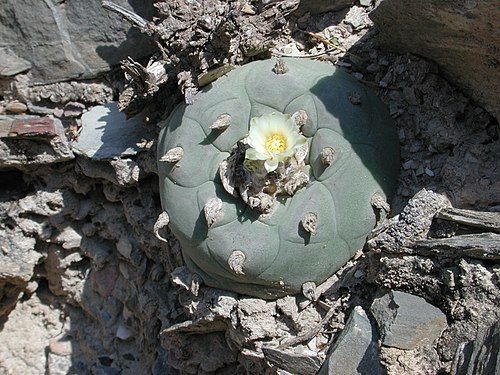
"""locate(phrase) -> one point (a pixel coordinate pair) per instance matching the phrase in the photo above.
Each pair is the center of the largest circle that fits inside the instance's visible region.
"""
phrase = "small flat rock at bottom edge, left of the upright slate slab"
(293, 362)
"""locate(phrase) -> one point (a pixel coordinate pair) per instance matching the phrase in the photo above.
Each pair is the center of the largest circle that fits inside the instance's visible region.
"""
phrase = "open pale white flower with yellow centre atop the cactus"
(273, 138)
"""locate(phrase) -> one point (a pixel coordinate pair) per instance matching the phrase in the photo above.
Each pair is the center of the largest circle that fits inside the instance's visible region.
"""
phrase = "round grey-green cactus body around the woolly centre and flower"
(354, 154)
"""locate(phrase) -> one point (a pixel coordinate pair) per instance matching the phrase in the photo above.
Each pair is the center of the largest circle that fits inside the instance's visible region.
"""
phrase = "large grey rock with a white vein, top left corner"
(64, 40)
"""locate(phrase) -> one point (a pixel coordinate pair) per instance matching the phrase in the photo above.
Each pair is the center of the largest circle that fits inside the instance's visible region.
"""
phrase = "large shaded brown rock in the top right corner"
(461, 36)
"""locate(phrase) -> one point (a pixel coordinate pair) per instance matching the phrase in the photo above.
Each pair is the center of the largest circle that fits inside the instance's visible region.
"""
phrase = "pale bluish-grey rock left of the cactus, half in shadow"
(107, 134)
